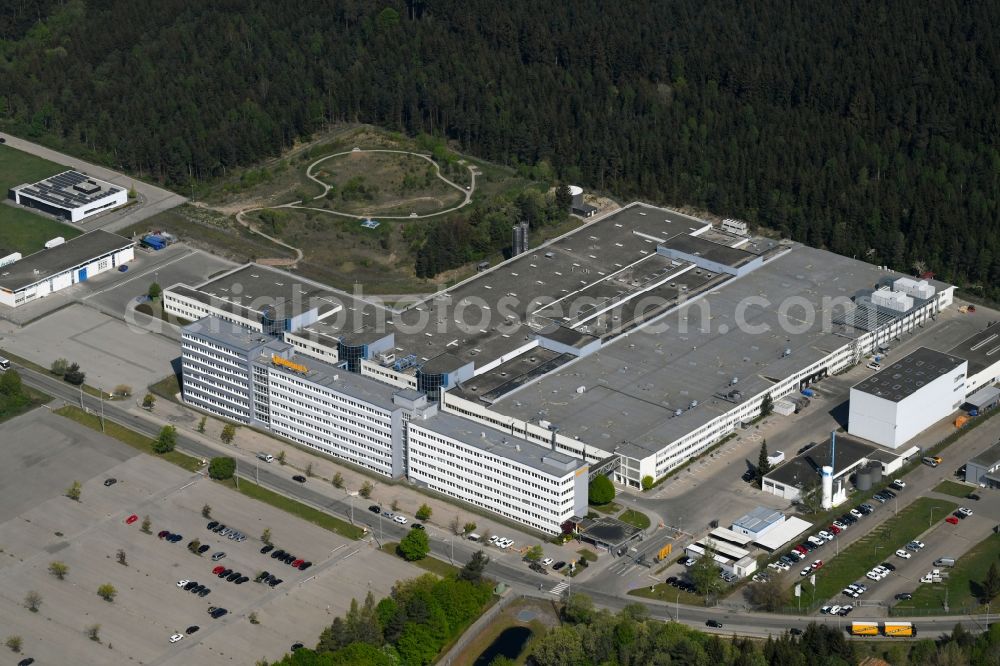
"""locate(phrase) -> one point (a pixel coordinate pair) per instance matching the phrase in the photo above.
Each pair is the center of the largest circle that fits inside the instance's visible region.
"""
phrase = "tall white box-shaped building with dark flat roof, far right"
(903, 399)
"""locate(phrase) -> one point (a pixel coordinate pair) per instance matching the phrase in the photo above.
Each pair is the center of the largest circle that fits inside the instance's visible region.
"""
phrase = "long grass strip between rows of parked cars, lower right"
(878, 545)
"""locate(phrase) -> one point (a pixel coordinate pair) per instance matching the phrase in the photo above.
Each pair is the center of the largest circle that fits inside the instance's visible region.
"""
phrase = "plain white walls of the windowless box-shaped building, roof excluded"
(892, 424)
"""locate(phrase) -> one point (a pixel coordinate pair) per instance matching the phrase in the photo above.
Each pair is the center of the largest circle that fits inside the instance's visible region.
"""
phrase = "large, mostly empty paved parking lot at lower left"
(149, 607)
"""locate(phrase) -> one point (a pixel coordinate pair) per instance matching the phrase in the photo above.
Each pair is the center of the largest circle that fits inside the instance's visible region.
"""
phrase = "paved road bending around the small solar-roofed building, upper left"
(152, 199)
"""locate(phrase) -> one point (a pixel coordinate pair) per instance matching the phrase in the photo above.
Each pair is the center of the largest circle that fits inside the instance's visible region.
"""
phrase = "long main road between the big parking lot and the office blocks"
(520, 578)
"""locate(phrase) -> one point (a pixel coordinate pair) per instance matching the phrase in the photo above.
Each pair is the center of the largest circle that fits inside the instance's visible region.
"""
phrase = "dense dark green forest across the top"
(869, 128)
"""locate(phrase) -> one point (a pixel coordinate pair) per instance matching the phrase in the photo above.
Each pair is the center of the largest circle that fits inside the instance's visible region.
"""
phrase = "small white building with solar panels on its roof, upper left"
(71, 195)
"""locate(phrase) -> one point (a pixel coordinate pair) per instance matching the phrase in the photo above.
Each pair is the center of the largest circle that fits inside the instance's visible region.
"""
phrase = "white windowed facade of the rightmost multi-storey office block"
(512, 489)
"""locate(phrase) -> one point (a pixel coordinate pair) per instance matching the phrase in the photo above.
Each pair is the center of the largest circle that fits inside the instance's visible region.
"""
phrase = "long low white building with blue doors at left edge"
(62, 265)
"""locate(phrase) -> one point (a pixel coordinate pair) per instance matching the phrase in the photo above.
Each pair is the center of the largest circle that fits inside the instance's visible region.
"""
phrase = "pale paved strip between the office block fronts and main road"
(248, 442)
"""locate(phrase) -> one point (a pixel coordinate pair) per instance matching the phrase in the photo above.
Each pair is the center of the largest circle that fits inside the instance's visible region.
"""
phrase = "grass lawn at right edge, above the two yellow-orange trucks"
(963, 580)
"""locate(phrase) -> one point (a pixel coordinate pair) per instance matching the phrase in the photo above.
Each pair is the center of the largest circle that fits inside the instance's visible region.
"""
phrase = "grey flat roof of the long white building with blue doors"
(74, 253)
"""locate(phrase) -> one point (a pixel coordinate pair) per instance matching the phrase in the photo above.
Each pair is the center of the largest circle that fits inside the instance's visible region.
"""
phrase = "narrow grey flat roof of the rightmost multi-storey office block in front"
(502, 444)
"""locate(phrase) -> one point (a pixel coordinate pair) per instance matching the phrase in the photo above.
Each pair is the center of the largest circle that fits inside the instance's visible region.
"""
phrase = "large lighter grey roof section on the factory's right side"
(633, 386)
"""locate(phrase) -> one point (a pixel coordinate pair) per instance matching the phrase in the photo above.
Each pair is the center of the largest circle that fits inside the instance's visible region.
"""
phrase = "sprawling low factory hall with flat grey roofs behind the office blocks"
(627, 388)
